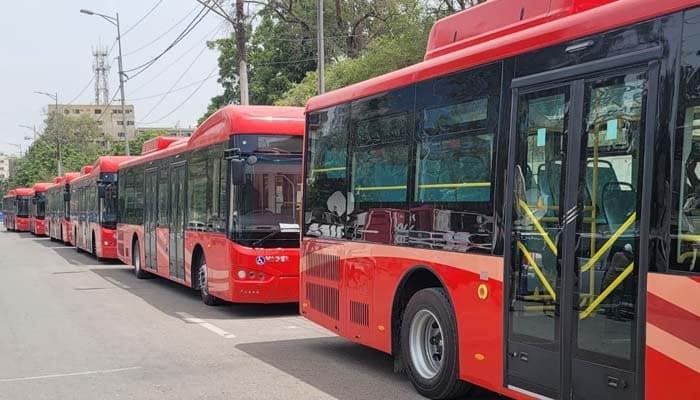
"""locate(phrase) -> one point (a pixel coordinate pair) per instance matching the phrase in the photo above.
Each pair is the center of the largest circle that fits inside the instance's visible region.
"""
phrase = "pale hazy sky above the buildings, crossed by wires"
(47, 46)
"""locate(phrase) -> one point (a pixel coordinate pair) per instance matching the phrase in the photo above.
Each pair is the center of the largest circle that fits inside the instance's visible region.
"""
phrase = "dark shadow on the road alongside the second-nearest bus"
(172, 298)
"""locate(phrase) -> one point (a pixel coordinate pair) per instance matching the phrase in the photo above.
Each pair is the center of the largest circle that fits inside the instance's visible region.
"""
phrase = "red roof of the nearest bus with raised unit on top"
(583, 18)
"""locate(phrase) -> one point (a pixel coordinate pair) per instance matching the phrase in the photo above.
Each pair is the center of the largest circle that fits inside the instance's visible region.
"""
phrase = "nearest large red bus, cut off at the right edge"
(518, 210)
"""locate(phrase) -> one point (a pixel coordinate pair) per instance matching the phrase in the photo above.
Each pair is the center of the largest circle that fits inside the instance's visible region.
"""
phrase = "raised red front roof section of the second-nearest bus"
(248, 119)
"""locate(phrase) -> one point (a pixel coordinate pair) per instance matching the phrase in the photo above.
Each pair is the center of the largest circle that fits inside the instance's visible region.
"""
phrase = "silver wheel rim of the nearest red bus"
(426, 344)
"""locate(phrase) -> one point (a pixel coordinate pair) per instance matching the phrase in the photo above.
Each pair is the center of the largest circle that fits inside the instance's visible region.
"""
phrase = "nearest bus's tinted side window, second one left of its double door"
(380, 159)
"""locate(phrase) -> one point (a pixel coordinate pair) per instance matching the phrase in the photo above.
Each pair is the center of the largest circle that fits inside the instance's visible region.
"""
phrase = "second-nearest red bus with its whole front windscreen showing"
(219, 212)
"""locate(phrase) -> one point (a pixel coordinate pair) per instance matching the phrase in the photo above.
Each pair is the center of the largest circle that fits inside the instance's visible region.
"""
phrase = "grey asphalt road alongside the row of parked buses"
(73, 328)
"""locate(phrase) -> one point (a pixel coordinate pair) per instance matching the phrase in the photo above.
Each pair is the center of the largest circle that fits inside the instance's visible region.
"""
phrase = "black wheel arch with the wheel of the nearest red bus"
(422, 296)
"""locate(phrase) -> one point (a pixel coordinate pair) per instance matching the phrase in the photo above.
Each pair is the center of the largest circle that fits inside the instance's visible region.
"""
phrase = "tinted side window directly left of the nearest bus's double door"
(456, 120)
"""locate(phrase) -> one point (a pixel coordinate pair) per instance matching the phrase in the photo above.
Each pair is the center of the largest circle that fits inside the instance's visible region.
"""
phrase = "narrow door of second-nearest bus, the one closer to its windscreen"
(178, 178)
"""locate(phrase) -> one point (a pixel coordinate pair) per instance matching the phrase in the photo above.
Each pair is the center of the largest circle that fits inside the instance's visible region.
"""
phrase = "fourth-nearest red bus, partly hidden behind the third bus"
(58, 208)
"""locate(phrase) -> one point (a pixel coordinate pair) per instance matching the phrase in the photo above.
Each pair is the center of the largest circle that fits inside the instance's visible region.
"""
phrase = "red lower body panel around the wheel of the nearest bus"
(371, 275)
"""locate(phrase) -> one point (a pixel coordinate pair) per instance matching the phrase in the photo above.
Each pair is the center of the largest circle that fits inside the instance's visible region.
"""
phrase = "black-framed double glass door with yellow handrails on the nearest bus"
(577, 168)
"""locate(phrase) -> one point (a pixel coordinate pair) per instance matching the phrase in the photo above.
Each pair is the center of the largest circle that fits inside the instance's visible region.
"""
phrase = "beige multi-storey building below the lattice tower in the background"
(108, 117)
